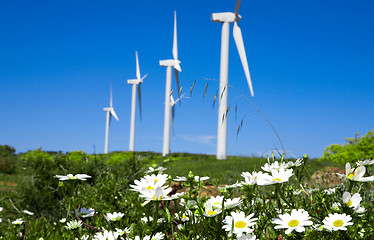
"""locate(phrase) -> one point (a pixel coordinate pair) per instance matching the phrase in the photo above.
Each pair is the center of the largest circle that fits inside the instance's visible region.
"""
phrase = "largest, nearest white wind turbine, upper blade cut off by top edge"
(226, 18)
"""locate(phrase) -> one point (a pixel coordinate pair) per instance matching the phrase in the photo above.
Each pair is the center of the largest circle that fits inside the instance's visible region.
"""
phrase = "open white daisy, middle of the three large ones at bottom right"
(297, 221)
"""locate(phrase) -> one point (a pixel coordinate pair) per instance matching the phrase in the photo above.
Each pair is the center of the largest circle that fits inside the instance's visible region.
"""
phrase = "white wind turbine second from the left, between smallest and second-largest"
(136, 83)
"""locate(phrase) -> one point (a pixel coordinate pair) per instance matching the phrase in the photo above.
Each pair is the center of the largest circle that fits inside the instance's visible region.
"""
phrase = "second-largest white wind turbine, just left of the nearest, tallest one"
(170, 63)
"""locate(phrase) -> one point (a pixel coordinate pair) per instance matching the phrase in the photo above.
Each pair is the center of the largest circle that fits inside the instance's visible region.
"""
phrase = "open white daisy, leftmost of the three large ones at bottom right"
(238, 223)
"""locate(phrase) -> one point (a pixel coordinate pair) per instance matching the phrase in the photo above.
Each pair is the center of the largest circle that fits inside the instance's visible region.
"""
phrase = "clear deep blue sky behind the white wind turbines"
(311, 64)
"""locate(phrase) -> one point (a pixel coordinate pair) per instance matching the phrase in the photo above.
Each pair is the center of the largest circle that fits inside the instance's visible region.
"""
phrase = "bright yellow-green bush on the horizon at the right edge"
(356, 148)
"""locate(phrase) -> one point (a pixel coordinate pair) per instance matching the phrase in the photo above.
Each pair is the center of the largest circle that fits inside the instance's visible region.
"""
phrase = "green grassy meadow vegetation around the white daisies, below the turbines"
(53, 202)
